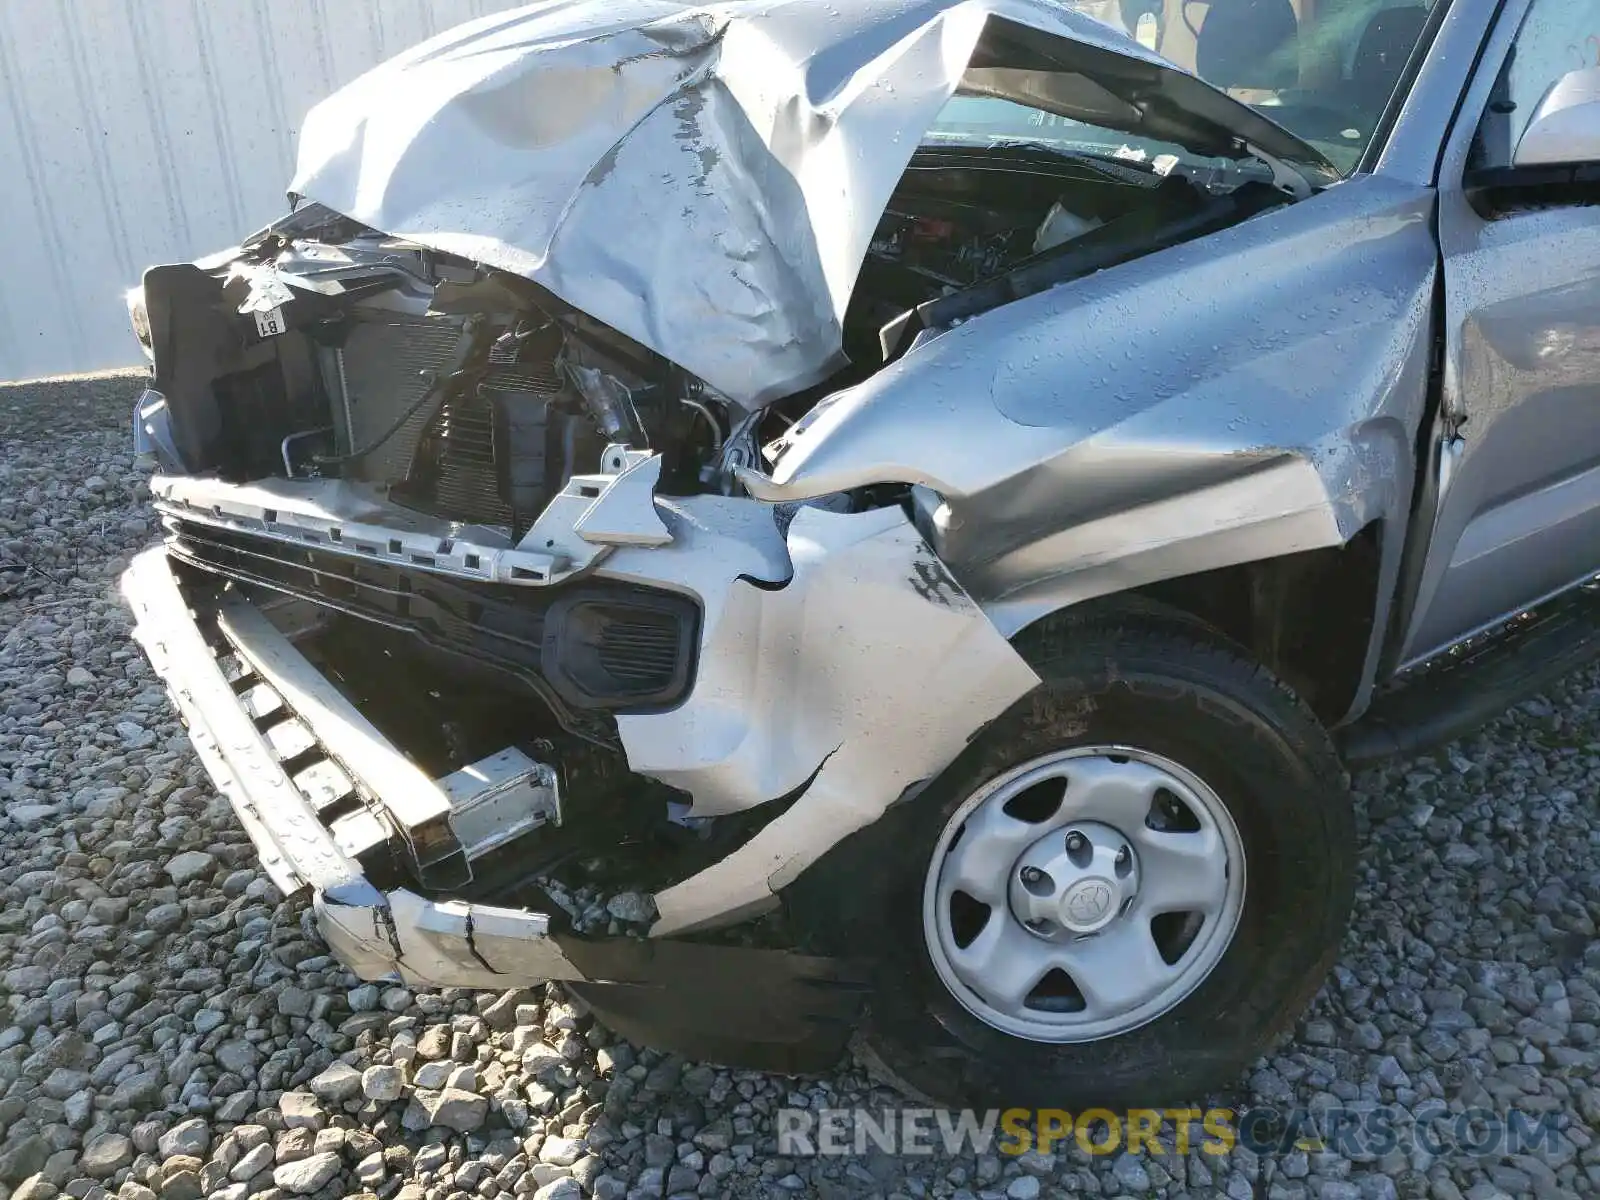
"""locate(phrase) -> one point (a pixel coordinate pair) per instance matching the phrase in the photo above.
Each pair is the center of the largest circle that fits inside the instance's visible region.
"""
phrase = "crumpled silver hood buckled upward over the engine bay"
(703, 178)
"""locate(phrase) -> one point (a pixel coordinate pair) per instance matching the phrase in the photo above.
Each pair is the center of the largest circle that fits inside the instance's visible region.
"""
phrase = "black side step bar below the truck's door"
(1474, 684)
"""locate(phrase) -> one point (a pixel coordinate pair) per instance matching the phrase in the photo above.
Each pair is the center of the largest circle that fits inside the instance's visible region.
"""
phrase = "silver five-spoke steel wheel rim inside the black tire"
(1084, 895)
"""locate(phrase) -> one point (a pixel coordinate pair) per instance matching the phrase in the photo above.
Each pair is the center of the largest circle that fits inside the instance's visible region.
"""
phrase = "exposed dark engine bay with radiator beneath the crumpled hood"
(330, 351)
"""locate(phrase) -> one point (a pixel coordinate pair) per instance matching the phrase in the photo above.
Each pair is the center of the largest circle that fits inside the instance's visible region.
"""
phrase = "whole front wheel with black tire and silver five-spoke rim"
(1119, 892)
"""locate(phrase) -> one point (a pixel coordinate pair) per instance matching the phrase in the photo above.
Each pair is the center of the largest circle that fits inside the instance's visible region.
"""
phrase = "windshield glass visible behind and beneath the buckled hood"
(1322, 70)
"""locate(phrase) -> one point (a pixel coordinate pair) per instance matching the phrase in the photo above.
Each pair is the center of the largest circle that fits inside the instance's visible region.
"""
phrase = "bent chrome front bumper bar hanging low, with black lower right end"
(759, 1009)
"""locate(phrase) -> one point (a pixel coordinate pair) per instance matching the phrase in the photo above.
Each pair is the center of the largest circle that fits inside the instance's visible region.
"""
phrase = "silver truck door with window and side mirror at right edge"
(1519, 489)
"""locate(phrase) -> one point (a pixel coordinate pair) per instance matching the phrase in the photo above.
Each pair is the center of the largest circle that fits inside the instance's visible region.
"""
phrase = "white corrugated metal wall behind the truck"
(137, 132)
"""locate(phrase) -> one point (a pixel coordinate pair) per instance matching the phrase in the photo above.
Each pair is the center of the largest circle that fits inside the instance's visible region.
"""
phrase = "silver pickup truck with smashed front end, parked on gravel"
(930, 494)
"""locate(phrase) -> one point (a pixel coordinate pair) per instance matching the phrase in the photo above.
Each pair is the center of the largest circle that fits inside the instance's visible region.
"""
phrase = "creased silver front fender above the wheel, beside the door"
(1239, 398)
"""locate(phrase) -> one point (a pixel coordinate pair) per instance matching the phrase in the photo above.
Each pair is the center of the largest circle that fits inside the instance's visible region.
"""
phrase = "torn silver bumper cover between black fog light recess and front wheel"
(865, 673)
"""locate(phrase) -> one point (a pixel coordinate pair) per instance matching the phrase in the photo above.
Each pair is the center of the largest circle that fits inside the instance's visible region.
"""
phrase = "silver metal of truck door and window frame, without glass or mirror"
(1519, 495)
